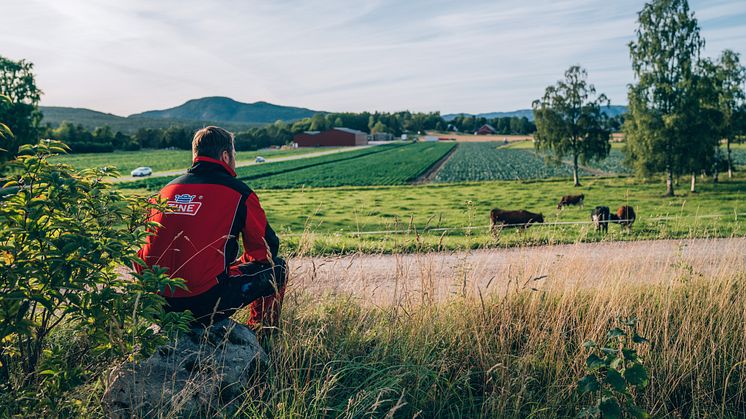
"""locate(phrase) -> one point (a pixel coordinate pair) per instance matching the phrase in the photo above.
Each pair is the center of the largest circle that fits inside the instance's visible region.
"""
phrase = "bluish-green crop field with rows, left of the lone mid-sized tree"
(489, 161)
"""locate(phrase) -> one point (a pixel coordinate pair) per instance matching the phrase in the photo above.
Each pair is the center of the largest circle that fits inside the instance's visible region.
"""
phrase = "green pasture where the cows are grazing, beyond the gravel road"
(330, 220)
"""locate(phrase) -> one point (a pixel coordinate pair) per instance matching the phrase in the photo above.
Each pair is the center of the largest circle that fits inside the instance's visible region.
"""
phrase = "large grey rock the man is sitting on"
(205, 367)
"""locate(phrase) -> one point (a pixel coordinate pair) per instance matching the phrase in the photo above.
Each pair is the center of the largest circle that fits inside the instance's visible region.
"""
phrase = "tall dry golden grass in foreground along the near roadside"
(512, 352)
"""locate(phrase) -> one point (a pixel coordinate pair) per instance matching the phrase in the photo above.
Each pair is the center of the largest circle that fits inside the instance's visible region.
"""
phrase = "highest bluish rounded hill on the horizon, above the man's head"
(223, 109)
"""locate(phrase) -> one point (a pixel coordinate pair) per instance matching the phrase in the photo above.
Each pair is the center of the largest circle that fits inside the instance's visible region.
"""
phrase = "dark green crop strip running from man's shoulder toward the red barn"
(391, 167)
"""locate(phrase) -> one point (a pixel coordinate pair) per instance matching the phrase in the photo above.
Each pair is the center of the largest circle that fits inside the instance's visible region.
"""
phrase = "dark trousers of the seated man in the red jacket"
(248, 284)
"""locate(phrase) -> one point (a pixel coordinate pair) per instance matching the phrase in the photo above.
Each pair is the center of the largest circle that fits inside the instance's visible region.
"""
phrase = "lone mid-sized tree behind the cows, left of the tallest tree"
(569, 120)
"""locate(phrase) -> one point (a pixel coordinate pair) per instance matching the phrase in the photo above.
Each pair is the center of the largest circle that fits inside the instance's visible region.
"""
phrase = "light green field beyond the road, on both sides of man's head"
(161, 160)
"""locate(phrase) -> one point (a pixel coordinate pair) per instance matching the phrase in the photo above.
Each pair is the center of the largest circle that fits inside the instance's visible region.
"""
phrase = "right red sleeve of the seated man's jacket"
(260, 242)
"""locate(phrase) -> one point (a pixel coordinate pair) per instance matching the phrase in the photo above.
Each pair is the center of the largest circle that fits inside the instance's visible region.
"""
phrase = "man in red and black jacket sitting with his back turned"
(198, 239)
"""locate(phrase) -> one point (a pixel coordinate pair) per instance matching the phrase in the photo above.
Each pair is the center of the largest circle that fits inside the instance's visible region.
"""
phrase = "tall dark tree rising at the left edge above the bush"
(20, 113)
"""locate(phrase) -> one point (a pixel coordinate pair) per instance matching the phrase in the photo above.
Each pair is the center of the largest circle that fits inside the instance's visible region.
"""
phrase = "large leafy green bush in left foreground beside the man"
(66, 302)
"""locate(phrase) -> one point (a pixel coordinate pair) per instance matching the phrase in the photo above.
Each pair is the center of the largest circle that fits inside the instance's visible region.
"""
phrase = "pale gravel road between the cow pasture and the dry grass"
(383, 279)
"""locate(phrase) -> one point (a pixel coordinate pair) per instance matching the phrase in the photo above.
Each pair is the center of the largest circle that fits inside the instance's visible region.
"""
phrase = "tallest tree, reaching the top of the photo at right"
(664, 60)
